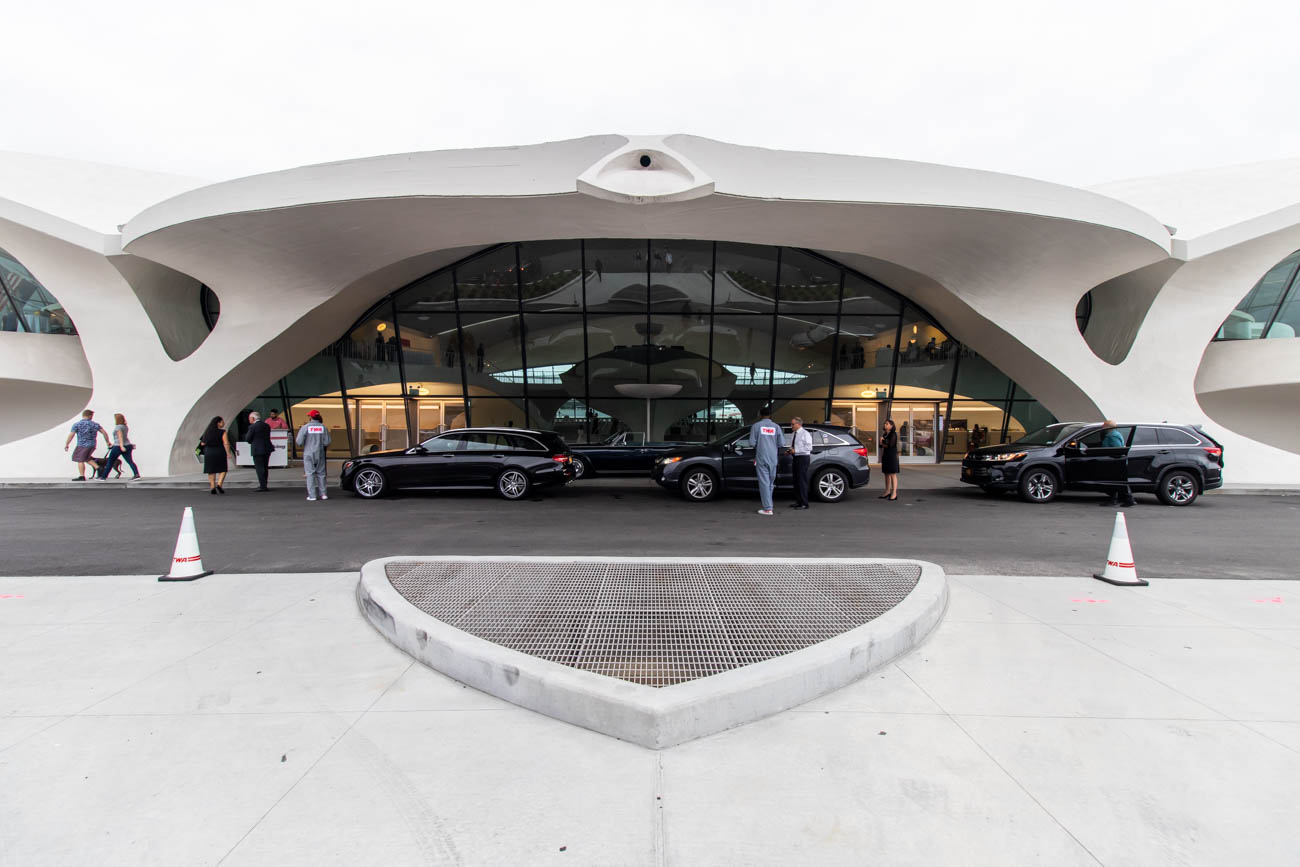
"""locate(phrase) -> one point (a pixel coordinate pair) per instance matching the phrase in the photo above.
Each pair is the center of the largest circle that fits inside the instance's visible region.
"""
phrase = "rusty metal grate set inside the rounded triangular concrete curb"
(653, 623)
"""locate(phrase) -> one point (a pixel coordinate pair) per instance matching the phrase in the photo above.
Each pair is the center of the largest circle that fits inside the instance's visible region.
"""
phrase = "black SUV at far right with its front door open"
(1173, 462)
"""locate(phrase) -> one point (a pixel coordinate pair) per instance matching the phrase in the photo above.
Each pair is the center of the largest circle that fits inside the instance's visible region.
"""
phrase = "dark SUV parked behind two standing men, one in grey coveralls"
(703, 472)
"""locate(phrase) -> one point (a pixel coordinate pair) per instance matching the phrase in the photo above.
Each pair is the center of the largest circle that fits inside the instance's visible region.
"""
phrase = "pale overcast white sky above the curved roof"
(1077, 93)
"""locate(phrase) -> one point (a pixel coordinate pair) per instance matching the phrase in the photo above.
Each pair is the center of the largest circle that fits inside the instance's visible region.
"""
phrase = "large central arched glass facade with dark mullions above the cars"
(668, 340)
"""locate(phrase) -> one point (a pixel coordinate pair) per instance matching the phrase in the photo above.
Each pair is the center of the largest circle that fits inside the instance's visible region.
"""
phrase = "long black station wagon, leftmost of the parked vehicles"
(509, 461)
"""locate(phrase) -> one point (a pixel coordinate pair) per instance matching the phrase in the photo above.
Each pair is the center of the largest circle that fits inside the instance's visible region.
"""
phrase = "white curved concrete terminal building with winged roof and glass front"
(553, 284)
